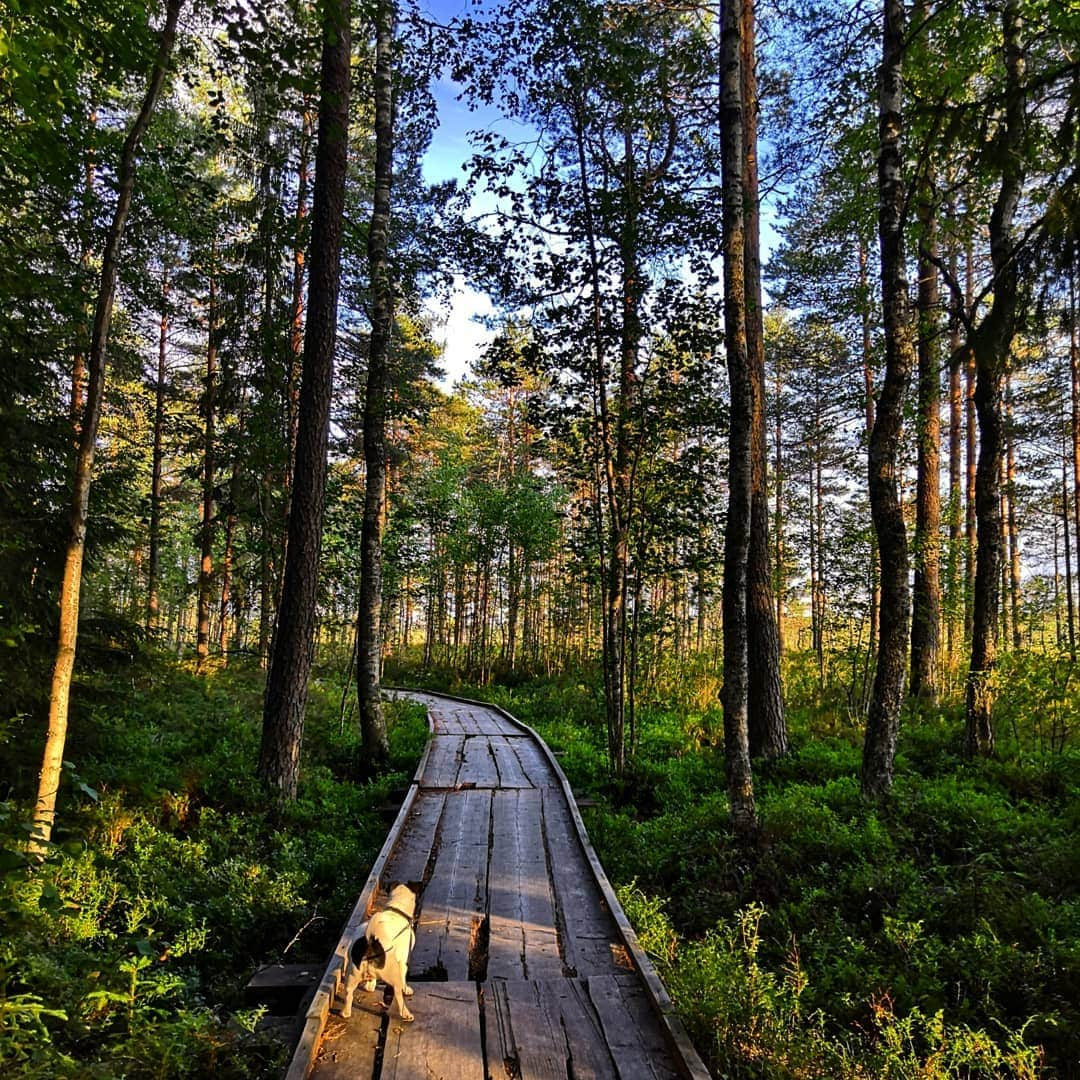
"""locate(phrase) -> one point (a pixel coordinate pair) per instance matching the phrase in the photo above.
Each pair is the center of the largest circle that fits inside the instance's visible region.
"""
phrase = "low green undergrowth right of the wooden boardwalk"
(936, 938)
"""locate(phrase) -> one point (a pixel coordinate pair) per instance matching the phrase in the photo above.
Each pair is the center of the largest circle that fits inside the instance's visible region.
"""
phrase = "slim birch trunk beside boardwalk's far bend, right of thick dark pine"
(373, 726)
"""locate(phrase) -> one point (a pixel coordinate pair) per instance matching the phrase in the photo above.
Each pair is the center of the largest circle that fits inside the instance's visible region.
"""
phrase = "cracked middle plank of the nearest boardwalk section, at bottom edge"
(522, 1036)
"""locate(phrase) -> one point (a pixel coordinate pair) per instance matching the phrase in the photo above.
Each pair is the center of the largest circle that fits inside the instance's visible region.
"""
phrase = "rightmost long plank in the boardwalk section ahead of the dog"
(590, 940)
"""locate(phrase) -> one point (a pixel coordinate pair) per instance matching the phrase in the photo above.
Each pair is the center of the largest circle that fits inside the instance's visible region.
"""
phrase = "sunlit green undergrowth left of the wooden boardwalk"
(126, 953)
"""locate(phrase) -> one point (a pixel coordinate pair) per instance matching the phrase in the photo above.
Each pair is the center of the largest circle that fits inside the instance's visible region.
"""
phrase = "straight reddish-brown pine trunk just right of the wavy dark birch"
(926, 609)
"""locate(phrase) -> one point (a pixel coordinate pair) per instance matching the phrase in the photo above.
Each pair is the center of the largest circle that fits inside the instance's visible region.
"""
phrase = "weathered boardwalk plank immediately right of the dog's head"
(454, 901)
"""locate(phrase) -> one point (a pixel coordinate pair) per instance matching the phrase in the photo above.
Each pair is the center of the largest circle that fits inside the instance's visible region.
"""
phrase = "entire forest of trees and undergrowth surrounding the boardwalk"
(789, 573)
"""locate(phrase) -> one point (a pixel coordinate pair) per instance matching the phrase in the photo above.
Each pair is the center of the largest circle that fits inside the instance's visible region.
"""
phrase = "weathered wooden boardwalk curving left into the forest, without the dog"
(524, 965)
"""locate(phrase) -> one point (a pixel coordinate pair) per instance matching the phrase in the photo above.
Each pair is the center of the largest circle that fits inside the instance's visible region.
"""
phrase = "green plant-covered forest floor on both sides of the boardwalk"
(939, 937)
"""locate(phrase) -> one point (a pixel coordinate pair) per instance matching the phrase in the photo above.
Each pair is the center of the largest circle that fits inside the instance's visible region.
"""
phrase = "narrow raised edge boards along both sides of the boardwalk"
(657, 995)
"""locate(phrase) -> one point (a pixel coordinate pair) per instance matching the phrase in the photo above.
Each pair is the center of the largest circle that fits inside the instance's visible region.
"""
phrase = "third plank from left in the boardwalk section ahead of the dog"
(523, 942)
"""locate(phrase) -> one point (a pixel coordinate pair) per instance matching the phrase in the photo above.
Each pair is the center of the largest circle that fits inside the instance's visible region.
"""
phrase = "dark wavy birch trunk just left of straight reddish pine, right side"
(883, 721)
